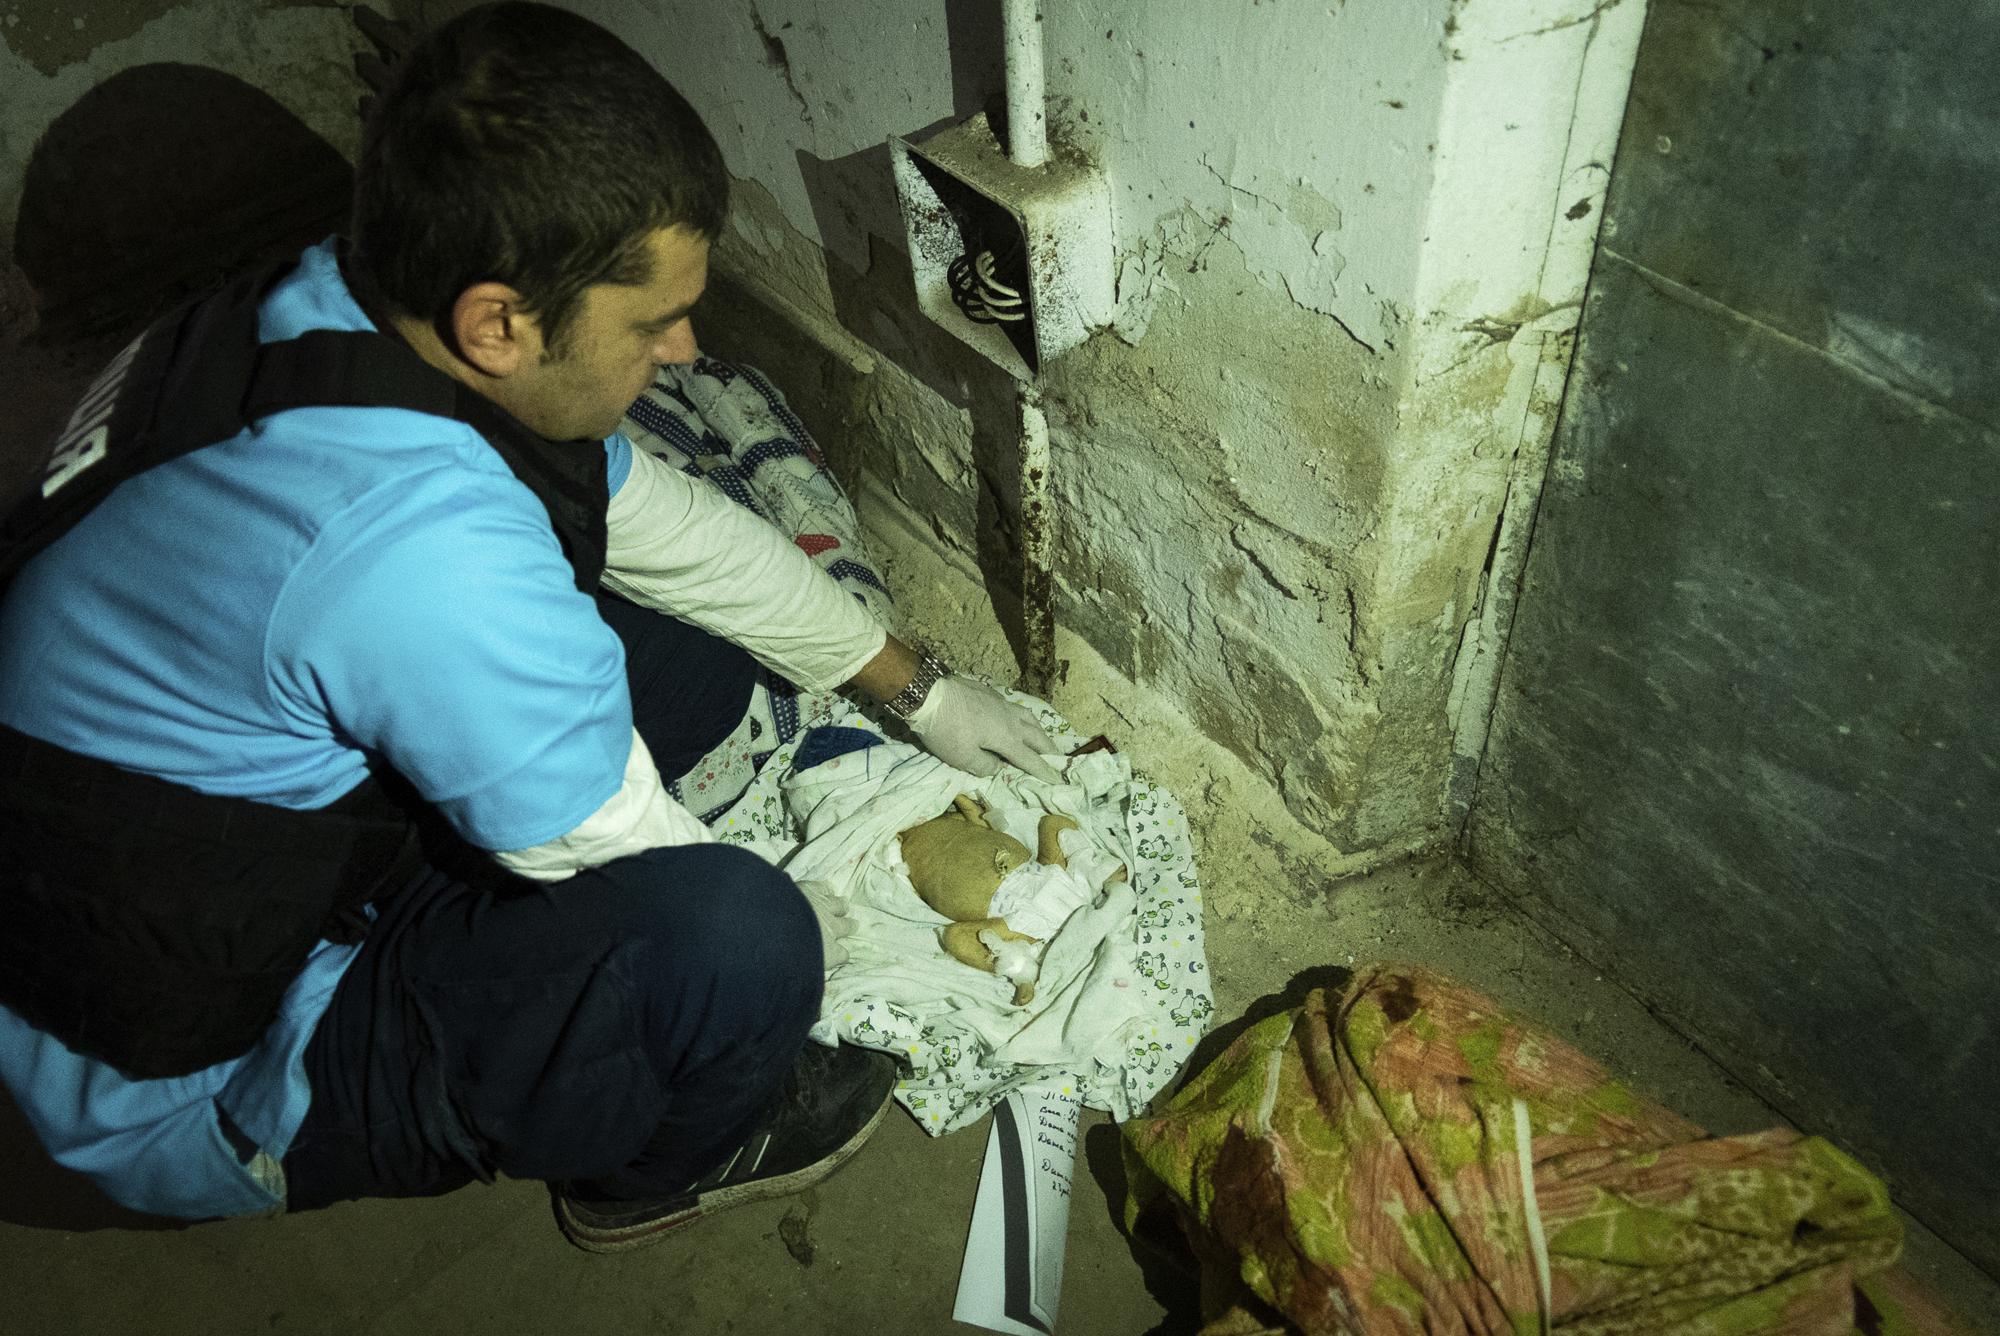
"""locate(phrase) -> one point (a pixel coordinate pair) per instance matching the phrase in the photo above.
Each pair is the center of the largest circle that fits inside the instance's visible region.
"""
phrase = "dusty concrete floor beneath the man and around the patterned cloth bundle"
(875, 1249)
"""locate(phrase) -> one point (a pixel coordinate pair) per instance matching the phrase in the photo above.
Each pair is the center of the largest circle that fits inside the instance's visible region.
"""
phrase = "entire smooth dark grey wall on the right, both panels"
(1747, 751)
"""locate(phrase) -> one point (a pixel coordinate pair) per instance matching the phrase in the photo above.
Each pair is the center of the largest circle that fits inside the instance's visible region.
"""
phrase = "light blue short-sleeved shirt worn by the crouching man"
(259, 617)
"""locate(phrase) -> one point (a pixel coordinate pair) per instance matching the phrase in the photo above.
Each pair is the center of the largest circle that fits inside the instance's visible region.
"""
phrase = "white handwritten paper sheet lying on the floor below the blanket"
(1021, 1219)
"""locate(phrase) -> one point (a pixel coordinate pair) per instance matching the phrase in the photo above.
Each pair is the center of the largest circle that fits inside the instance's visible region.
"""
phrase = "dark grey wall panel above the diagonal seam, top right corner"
(1835, 171)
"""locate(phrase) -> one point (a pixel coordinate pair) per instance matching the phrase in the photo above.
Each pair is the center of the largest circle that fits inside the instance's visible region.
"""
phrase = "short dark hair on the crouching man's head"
(525, 145)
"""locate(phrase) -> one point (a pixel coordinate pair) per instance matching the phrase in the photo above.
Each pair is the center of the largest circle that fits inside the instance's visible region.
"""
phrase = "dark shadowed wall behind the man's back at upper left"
(147, 149)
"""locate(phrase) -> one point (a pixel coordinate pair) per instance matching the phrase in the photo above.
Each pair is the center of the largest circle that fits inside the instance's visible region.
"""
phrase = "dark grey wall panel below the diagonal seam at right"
(1747, 747)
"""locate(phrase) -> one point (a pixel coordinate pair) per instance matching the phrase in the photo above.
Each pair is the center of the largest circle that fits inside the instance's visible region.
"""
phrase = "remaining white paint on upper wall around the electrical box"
(1311, 127)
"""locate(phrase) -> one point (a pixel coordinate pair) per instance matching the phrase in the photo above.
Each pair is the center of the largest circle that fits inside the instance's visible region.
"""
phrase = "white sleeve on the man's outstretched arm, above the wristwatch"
(683, 547)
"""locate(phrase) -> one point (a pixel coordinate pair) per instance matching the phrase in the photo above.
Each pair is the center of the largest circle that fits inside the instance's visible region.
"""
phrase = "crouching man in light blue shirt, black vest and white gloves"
(353, 551)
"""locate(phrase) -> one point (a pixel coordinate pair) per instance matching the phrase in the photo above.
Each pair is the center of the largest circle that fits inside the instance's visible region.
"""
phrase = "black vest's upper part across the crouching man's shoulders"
(199, 375)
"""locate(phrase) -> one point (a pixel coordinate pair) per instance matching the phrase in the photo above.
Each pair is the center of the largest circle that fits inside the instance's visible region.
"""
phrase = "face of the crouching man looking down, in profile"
(617, 341)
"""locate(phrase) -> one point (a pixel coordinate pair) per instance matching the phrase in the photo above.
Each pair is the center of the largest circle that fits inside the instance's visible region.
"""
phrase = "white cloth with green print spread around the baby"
(1123, 995)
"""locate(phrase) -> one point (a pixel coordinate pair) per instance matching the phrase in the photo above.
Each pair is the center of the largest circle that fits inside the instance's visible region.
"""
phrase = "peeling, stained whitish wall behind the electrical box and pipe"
(1347, 235)
